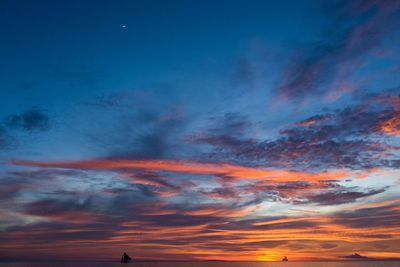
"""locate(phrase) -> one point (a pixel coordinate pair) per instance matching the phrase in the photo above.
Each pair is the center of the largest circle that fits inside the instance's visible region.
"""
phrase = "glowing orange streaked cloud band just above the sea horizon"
(264, 240)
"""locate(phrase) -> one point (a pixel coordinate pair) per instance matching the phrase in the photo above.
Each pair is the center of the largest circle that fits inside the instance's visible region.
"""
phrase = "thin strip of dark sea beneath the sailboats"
(204, 264)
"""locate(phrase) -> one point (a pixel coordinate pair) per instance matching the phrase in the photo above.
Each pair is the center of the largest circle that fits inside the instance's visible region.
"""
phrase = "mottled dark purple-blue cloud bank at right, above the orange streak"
(342, 141)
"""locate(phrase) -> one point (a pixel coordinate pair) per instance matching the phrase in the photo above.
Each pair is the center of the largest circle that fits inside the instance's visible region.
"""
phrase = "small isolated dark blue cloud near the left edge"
(29, 120)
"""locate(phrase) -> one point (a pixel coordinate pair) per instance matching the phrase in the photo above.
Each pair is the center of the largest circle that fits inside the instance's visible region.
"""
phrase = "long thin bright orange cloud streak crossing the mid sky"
(229, 170)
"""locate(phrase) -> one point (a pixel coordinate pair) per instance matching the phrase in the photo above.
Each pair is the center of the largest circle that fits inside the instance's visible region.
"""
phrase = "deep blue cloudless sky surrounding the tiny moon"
(49, 42)
